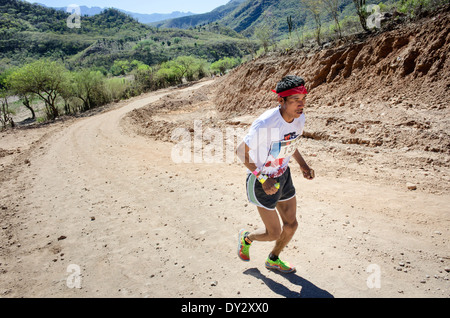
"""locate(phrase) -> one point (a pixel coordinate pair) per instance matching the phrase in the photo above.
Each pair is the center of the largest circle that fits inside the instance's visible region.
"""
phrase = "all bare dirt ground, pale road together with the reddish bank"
(102, 196)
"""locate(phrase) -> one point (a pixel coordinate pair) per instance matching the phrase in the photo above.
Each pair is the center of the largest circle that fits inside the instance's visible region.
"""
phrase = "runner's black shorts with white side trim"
(258, 197)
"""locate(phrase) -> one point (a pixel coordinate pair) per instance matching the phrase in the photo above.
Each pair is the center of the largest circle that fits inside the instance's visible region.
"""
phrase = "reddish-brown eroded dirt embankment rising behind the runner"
(391, 90)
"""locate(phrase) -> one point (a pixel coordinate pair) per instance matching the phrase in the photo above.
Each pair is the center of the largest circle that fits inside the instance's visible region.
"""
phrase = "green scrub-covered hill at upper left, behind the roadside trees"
(29, 32)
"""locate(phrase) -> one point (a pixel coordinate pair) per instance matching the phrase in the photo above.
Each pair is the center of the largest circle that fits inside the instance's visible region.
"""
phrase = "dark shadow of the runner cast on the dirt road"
(306, 288)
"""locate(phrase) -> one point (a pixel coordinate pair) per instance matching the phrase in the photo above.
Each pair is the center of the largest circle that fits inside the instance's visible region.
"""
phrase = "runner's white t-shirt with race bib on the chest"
(272, 141)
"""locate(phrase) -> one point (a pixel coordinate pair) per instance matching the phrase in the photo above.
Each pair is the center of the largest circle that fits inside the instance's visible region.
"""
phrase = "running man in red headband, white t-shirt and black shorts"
(266, 150)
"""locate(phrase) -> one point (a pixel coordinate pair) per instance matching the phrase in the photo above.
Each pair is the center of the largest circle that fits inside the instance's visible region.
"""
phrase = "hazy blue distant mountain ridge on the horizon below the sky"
(141, 17)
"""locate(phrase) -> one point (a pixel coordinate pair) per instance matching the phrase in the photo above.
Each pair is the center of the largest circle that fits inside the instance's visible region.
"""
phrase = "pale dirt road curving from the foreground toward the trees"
(114, 208)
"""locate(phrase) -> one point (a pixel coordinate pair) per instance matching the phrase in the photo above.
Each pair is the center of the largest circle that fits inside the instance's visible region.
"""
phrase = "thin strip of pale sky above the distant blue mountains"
(142, 6)
